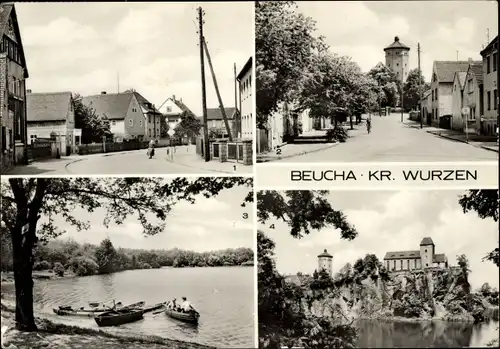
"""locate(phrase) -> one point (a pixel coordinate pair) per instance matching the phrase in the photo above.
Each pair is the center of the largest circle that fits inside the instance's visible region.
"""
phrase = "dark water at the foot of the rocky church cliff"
(435, 334)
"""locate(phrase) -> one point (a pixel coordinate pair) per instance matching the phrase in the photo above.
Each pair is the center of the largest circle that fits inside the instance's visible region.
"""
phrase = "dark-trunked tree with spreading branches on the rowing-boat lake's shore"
(25, 202)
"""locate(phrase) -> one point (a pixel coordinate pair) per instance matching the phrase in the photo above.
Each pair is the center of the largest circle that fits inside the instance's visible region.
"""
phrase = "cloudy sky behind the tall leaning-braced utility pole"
(151, 47)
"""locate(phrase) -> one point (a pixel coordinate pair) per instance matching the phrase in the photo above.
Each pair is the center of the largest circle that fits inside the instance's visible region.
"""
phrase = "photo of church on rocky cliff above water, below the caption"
(378, 269)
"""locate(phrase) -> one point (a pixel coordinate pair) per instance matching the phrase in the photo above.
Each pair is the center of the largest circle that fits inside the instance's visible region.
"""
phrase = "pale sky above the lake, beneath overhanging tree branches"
(209, 224)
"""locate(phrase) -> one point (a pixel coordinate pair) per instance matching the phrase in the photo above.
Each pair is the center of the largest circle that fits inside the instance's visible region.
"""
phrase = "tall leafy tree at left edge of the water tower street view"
(284, 45)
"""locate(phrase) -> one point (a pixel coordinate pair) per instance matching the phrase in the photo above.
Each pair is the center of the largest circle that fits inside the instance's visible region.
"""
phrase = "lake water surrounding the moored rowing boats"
(224, 297)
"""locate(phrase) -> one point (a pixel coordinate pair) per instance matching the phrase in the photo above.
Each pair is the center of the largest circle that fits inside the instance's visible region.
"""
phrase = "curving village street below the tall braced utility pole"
(184, 161)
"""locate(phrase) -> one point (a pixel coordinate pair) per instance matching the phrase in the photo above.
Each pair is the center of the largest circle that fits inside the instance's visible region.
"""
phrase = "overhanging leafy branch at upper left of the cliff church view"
(303, 211)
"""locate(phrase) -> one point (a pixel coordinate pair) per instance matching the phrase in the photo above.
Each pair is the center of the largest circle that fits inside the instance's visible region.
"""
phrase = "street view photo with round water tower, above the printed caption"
(376, 81)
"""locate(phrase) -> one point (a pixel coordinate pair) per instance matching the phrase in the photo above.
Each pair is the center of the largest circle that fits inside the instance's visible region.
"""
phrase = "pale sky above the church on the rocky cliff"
(392, 221)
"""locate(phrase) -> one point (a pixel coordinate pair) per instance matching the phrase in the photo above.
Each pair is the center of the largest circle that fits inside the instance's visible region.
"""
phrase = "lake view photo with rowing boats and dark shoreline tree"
(127, 262)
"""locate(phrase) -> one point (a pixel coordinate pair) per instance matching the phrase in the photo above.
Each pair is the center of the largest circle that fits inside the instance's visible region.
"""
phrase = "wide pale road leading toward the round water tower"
(391, 140)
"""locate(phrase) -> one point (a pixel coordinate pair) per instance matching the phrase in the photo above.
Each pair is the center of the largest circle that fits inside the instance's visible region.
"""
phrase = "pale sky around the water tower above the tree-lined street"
(362, 30)
